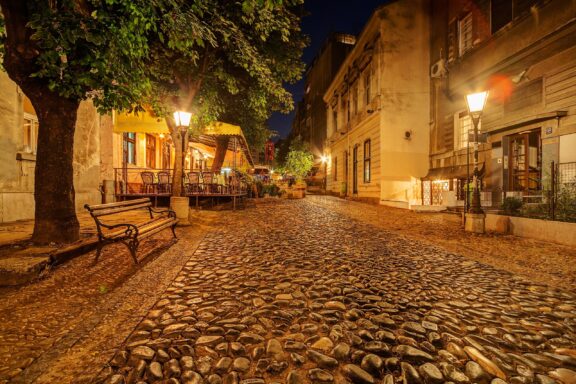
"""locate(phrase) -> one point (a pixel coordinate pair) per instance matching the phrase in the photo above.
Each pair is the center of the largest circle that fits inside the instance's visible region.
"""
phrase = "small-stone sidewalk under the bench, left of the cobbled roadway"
(63, 328)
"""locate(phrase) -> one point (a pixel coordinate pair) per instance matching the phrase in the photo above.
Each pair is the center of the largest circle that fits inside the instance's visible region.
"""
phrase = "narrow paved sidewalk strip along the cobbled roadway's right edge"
(539, 261)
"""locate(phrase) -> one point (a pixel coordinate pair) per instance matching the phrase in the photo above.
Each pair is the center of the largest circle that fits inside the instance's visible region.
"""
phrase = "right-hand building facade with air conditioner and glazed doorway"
(524, 53)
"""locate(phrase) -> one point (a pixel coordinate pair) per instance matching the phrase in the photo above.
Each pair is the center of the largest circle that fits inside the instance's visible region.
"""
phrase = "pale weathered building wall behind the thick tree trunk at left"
(18, 143)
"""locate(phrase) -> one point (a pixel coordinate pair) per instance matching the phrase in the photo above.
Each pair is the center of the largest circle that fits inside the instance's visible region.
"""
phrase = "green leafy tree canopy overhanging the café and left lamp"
(216, 58)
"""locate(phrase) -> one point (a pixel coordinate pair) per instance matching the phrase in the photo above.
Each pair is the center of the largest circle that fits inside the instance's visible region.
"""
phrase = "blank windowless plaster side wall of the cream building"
(404, 89)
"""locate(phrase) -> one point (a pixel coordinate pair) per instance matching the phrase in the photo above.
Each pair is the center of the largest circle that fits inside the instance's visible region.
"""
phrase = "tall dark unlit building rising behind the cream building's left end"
(310, 118)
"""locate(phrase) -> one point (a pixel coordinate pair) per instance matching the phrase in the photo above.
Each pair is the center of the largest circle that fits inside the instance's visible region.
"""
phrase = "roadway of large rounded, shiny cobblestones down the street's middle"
(292, 292)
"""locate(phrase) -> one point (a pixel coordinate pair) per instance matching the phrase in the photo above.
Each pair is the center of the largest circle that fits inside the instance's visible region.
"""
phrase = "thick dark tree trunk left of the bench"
(55, 215)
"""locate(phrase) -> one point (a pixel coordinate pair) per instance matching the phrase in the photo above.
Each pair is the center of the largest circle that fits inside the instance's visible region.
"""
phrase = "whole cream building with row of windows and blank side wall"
(377, 109)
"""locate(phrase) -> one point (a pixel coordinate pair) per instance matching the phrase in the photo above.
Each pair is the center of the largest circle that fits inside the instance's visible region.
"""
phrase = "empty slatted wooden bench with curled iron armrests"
(129, 234)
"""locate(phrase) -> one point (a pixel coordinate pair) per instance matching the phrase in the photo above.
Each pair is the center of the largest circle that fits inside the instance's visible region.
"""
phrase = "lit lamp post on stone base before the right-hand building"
(476, 103)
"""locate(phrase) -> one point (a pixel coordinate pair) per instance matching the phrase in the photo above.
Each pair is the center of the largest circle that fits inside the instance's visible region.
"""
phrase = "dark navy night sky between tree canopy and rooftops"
(325, 16)
